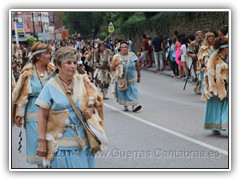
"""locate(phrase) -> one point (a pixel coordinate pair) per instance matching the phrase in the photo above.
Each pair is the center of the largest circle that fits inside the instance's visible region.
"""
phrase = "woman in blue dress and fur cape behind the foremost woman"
(29, 85)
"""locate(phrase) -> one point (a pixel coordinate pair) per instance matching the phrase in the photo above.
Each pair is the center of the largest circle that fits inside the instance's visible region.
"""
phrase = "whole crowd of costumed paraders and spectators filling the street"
(45, 75)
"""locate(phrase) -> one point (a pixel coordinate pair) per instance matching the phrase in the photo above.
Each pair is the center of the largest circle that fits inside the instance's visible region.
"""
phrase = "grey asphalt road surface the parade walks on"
(167, 133)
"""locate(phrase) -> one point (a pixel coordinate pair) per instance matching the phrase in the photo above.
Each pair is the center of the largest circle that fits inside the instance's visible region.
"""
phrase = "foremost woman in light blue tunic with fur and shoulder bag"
(62, 138)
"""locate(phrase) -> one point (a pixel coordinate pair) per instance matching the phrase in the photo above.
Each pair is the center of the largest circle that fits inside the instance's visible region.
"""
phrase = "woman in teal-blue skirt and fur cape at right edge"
(216, 88)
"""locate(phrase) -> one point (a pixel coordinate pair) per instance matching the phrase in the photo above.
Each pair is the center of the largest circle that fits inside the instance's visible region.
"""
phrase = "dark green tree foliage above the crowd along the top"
(90, 24)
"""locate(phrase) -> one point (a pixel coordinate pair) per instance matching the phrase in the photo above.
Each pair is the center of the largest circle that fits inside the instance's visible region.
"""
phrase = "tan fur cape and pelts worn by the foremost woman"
(57, 120)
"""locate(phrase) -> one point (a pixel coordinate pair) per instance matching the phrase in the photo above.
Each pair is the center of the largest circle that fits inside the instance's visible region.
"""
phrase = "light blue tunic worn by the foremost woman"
(52, 97)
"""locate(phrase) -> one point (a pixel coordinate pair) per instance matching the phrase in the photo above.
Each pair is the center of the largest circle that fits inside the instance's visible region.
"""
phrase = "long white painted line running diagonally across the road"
(222, 151)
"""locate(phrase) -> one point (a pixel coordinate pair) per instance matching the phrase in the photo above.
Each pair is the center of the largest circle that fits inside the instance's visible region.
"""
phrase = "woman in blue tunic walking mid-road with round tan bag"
(128, 97)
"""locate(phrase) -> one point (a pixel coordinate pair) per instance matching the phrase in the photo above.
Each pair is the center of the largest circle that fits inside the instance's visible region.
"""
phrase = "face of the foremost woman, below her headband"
(68, 67)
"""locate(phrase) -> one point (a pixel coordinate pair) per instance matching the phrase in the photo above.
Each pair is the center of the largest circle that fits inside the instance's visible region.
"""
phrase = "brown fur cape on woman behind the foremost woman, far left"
(23, 89)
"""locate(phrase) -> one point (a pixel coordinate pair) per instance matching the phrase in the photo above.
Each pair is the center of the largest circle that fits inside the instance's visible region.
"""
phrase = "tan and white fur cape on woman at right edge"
(216, 79)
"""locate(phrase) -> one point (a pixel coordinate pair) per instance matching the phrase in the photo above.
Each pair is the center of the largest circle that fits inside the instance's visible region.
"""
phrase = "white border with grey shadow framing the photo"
(123, 4)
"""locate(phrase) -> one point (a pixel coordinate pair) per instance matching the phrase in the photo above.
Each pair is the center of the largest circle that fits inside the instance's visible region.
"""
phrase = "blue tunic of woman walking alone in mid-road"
(129, 97)
